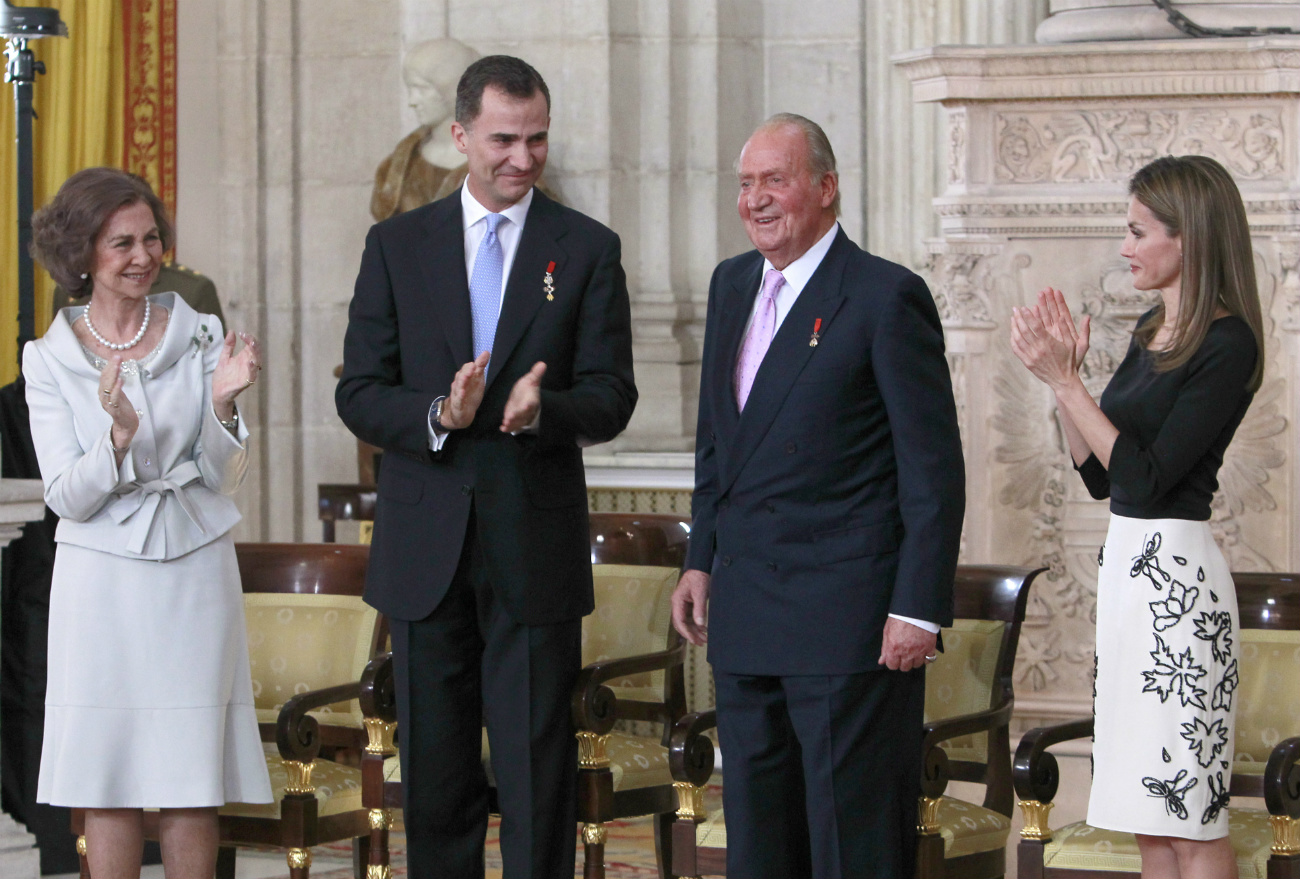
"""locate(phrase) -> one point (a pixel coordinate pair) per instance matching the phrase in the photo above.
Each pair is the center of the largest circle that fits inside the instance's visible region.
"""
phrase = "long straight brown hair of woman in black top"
(1195, 198)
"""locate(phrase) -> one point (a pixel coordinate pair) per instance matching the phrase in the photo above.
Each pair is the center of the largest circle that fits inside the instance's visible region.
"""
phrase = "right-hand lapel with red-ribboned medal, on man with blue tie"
(539, 248)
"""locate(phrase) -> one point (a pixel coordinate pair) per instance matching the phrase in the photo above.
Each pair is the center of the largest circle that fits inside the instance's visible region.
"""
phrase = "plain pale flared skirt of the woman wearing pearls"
(150, 699)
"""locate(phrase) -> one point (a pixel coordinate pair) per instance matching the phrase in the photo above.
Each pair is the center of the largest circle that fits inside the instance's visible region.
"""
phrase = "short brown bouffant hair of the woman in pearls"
(64, 232)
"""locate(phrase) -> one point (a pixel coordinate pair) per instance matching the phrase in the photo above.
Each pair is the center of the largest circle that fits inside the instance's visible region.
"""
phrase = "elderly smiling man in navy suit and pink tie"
(829, 506)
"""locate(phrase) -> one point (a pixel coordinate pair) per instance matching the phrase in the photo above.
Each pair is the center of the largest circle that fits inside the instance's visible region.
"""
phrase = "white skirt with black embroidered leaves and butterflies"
(1165, 683)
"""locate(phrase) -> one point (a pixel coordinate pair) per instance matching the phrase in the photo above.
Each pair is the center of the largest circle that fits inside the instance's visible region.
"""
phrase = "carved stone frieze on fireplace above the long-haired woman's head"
(1110, 145)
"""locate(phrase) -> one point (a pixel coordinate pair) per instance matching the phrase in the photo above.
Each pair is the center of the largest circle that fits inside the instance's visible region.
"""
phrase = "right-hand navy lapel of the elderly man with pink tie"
(787, 357)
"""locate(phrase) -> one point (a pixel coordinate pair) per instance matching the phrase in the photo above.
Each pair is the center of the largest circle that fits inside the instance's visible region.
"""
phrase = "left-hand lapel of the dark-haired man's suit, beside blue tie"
(443, 261)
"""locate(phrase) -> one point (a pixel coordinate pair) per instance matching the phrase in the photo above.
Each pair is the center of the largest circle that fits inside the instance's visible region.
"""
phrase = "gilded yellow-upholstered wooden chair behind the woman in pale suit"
(310, 639)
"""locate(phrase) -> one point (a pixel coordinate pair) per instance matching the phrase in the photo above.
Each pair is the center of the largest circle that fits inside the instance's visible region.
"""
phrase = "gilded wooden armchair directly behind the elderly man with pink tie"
(969, 703)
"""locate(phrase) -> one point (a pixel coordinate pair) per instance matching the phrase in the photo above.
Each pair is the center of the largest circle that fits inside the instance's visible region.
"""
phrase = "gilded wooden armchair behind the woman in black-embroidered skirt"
(1267, 742)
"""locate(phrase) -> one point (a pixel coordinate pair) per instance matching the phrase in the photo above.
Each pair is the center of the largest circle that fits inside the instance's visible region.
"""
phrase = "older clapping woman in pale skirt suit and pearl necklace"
(135, 421)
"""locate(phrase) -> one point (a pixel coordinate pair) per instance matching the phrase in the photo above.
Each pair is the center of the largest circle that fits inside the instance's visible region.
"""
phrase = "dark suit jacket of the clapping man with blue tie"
(410, 332)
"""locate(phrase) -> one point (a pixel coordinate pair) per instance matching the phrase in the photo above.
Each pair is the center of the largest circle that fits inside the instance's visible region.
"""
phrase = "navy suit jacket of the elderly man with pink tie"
(837, 499)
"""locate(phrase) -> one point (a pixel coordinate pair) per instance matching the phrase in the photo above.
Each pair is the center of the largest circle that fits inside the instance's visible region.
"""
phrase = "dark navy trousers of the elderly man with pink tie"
(821, 774)
